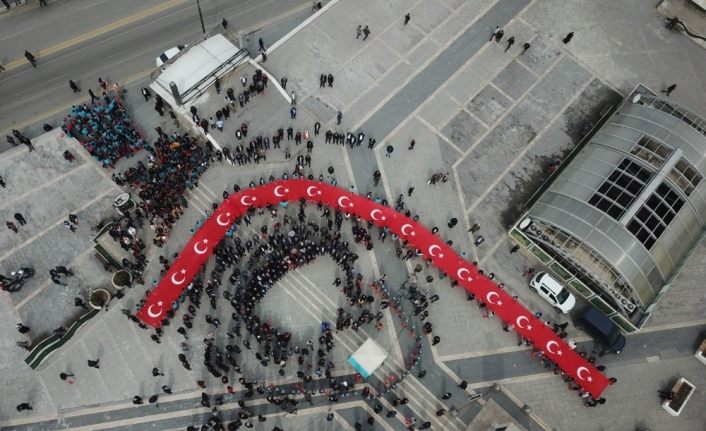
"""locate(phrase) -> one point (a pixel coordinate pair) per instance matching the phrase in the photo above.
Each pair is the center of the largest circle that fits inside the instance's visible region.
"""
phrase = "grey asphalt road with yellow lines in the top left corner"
(97, 38)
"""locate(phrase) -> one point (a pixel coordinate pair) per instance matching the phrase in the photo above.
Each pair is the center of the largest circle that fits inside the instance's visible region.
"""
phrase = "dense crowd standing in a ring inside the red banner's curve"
(248, 266)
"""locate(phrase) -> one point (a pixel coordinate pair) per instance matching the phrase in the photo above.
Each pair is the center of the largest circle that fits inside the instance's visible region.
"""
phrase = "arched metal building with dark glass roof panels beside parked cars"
(621, 217)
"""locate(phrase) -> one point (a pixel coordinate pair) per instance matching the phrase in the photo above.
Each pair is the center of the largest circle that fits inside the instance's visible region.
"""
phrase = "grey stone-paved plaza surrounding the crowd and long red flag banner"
(490, 119)
